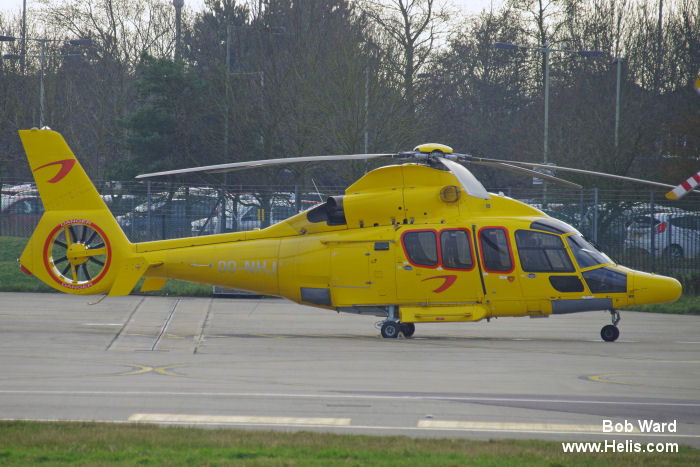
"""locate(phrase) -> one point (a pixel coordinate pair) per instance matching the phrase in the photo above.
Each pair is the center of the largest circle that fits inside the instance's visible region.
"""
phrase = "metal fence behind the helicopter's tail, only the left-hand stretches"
(155, 211)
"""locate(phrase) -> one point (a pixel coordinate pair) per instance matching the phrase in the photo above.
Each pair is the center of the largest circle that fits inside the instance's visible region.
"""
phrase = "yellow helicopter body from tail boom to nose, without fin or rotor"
(405, 236)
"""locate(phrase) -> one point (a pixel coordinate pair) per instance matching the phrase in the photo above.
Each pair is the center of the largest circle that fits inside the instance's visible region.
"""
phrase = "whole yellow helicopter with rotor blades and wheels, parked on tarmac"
(416, 242)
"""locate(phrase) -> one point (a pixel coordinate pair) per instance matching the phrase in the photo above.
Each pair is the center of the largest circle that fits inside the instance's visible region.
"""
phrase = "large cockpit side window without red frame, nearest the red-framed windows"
(542, 252)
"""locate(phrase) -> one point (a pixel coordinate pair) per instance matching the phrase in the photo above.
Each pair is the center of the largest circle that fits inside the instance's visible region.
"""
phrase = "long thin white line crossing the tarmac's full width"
(426, 397)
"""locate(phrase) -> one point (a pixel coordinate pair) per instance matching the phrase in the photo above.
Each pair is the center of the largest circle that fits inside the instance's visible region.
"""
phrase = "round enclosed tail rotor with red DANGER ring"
(77, 254)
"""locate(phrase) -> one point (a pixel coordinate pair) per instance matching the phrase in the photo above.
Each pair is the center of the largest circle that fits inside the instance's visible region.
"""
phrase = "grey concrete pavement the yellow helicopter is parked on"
(269, 363)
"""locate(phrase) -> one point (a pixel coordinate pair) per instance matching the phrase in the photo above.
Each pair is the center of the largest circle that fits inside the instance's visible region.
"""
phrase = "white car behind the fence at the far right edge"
(673, 235)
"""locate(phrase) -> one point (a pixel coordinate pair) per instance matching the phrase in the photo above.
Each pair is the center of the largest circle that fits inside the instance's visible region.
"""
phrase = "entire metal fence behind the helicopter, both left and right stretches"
(637, 228)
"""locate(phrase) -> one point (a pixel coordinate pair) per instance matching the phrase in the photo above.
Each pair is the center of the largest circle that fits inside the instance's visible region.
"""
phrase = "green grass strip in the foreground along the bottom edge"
(87, 443)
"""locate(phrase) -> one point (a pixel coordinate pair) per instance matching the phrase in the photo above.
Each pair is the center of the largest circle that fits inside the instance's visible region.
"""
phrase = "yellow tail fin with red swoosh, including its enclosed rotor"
(78, 247)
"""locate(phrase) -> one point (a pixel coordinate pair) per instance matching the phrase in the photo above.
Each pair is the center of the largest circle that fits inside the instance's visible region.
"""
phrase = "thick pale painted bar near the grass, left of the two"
(236, 420)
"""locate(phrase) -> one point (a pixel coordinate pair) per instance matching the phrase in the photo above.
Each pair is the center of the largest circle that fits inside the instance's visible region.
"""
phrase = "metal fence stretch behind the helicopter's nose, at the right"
(637, 228)
